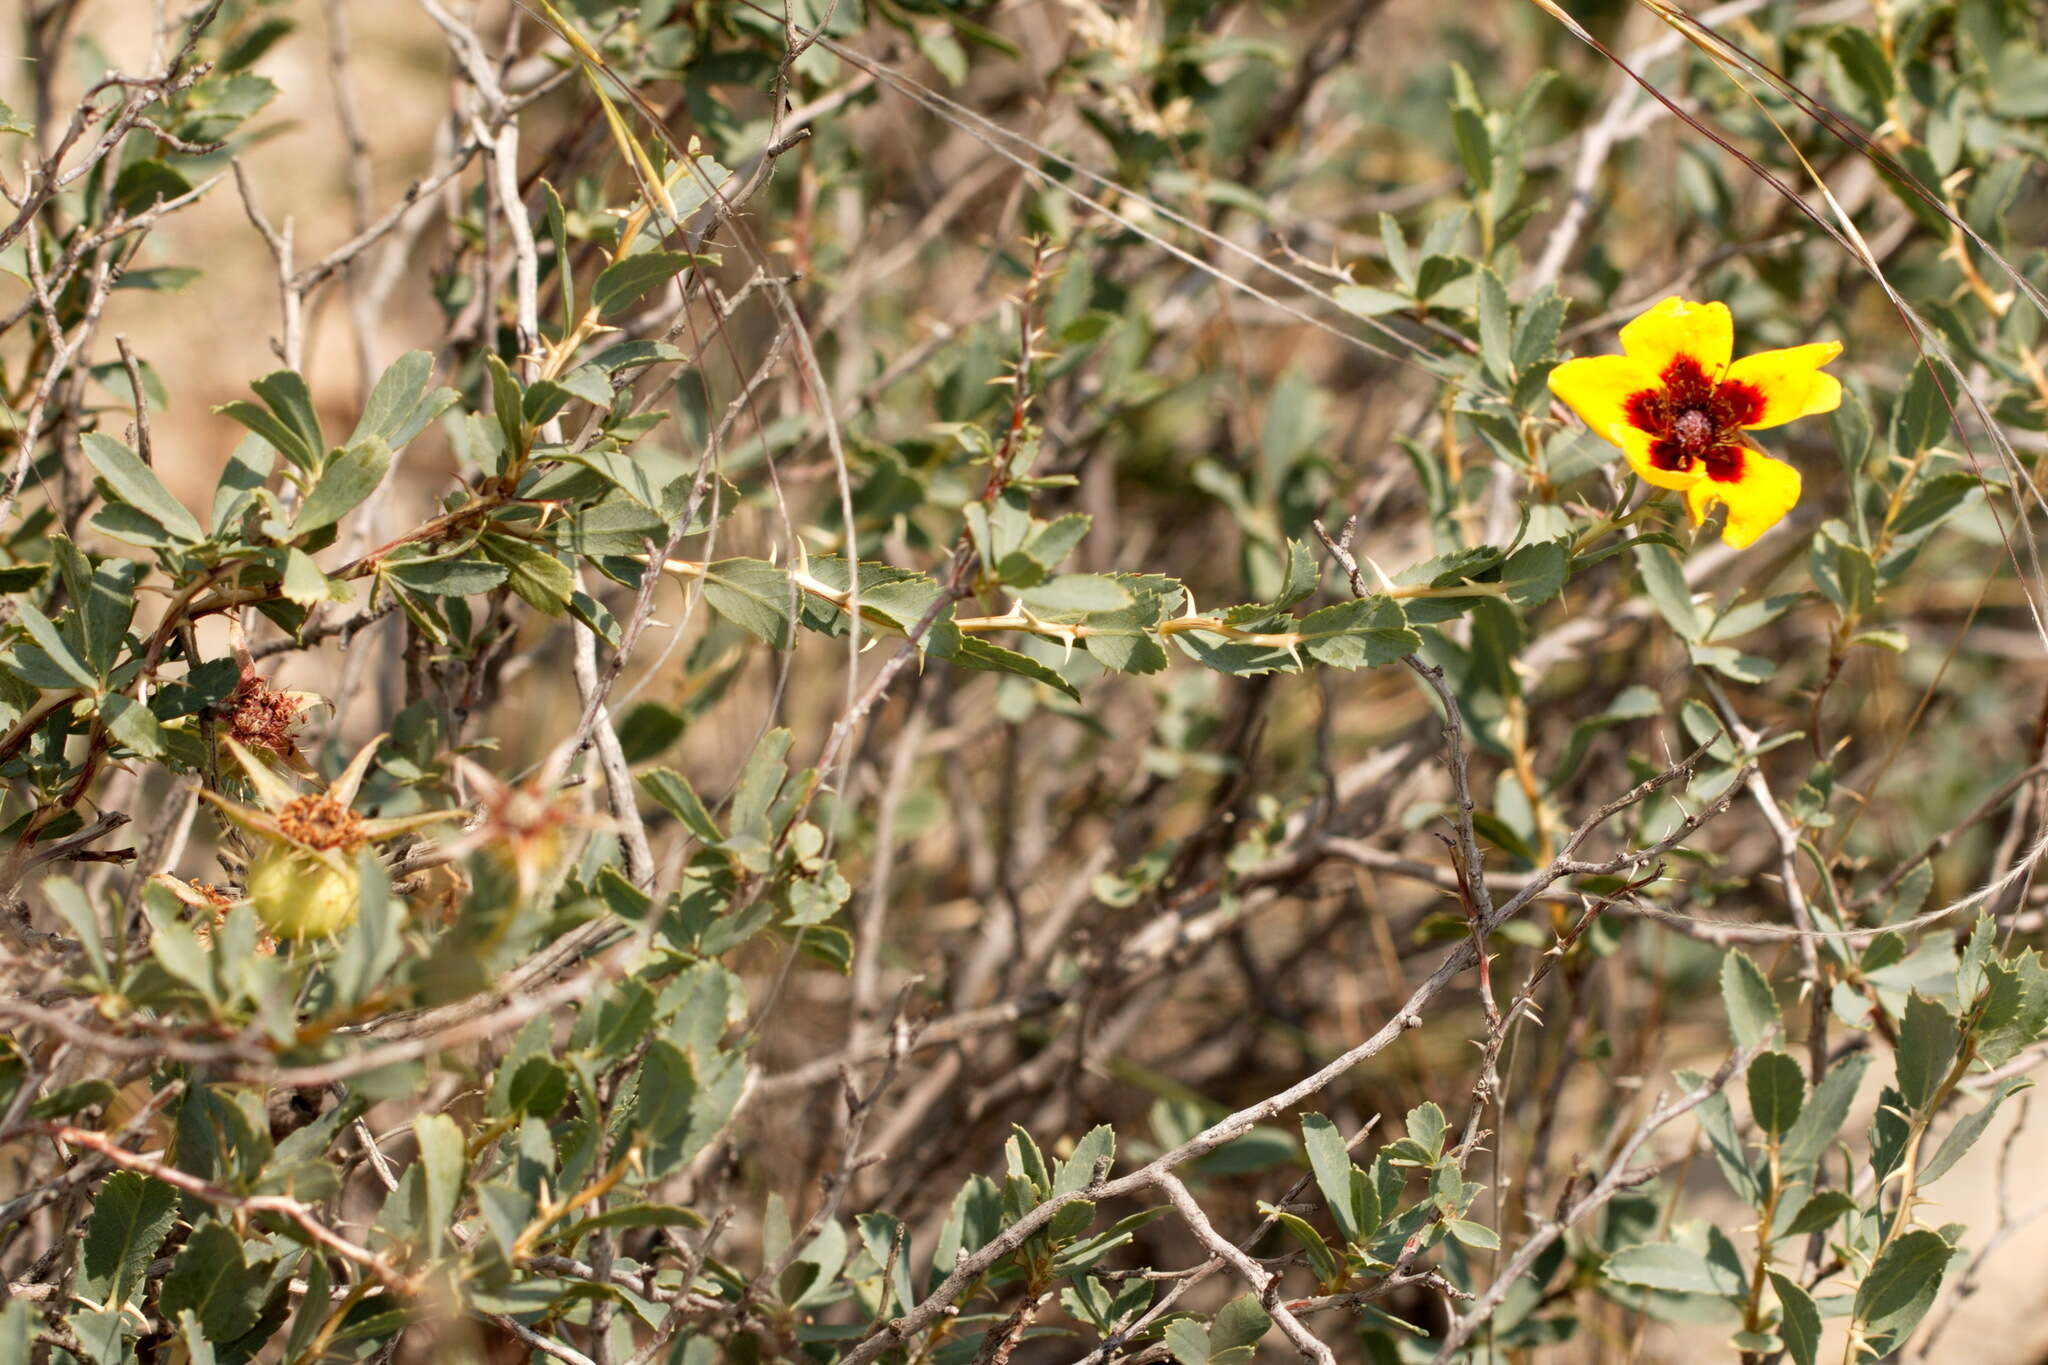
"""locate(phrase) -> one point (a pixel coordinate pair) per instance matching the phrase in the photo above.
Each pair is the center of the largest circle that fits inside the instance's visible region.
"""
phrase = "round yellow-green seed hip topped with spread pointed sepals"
(304, 881)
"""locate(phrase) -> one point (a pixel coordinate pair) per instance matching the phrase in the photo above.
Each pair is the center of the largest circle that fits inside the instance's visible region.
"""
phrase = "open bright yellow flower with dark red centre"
(1678, 406)
